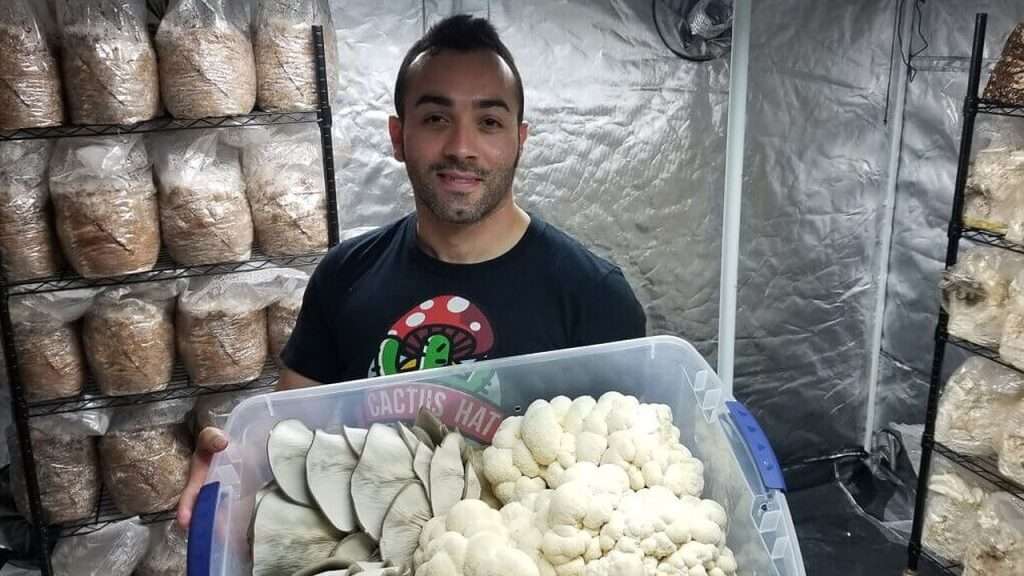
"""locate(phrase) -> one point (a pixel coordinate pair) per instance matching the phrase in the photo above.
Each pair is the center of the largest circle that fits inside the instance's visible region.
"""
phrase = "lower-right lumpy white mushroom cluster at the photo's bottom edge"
(594, 524)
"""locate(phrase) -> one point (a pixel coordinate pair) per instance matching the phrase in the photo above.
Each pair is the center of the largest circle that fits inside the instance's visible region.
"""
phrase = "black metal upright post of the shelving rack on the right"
(955, 232)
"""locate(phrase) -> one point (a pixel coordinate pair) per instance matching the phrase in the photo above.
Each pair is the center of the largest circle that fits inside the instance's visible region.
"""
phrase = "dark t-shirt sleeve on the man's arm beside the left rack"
(312, 350)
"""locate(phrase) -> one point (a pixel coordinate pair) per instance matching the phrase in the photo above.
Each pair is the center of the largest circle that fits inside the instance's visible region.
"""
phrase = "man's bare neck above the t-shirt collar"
(498, 233)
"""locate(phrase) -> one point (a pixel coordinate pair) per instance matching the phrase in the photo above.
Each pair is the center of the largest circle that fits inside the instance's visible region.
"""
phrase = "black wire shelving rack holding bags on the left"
(92, 399)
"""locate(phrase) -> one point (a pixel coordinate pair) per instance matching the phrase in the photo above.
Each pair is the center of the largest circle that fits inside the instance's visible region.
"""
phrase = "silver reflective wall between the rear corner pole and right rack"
(925, 189)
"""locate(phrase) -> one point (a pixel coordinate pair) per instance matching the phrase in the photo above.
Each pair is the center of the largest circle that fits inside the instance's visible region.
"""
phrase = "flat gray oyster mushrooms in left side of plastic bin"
(356, 503)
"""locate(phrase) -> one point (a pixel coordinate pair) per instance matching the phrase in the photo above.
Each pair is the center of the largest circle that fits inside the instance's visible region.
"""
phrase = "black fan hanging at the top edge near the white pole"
(695, 30)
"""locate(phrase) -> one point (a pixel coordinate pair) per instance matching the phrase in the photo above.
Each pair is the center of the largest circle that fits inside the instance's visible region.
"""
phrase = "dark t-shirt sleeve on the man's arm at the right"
(612, 313)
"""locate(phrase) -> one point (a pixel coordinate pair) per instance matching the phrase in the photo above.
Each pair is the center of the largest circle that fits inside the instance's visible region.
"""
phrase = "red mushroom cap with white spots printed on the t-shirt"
(464, 324)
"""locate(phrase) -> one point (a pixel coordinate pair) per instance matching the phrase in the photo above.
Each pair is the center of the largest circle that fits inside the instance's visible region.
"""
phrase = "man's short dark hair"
(461, 33)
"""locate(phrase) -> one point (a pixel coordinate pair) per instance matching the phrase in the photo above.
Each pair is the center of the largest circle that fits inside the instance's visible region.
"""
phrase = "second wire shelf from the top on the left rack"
(165, 269)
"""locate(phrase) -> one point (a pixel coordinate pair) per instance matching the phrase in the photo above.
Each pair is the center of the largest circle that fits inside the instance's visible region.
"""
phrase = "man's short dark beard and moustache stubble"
(495, 186)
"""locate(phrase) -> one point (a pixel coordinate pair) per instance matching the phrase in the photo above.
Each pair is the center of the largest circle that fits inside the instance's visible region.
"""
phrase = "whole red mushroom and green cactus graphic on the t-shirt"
(442, 332)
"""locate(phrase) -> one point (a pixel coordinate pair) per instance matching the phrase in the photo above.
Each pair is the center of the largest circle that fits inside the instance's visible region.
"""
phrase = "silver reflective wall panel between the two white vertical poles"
(816, 170)
